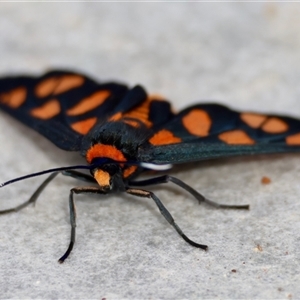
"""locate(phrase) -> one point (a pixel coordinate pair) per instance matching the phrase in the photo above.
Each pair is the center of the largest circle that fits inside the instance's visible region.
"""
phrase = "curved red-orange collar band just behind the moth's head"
(100, 150)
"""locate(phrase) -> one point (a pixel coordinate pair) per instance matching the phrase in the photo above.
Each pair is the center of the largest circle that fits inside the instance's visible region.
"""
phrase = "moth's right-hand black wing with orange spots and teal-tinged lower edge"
(206, 131)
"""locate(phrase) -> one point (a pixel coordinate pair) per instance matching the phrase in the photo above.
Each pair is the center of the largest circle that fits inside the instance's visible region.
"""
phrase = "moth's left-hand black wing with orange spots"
(63, 106)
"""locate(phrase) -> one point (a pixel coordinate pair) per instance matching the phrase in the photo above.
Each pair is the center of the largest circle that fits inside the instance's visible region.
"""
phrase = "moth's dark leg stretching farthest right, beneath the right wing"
(197, 195)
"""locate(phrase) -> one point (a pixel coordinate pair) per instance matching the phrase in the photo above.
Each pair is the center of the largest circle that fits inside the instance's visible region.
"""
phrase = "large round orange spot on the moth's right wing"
(197, 122)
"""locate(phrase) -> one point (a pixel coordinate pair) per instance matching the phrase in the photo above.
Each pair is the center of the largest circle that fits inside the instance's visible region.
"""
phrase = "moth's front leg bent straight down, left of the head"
(77, 190)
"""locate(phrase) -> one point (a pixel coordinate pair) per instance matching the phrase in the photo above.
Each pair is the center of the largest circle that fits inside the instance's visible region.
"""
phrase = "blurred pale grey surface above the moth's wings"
(231, 52)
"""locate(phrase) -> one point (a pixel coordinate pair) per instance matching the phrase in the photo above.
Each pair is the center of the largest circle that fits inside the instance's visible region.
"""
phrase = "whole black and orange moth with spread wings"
(122, 132)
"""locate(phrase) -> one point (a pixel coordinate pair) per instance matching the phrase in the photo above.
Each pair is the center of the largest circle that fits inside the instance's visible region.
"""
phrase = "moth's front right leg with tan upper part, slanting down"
(163, 210)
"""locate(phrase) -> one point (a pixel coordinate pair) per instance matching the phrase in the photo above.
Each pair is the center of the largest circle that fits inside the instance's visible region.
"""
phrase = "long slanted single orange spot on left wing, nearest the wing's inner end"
(89, 103)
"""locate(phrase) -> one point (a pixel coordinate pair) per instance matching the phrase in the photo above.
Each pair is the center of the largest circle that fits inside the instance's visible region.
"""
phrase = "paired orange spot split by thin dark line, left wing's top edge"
(57, 85)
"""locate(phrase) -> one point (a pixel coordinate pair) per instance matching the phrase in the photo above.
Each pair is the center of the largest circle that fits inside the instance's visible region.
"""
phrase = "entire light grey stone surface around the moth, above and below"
(245, 55)
